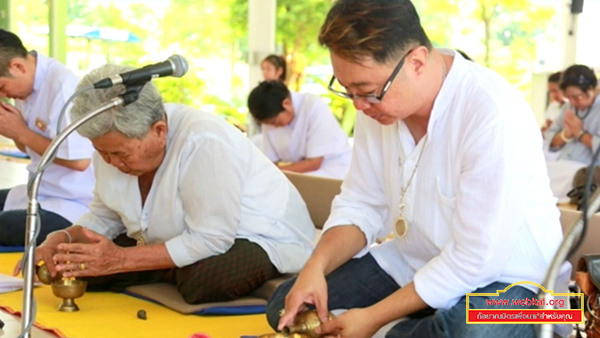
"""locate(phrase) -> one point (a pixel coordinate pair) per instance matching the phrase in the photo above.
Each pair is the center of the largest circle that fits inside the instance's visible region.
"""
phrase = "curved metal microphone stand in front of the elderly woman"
(33, 222)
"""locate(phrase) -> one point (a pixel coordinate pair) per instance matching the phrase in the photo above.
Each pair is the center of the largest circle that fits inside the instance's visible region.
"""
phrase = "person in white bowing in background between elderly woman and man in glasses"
(300, 133)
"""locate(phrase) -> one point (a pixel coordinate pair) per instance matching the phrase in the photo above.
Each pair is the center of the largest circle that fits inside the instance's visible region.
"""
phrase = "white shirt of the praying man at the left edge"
(63, 191)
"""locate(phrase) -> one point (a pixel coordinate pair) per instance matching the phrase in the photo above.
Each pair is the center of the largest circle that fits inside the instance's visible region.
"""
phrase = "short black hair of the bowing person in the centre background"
(266, 100)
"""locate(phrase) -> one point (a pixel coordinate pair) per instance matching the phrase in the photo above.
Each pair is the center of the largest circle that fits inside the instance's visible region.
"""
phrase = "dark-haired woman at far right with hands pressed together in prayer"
(575, 135)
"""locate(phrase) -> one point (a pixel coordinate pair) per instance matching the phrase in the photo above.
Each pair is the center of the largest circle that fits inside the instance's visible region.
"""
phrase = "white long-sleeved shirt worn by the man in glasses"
(479, 208)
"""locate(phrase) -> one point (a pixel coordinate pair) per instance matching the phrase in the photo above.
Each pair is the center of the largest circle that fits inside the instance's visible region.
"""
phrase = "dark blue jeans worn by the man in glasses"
(361, 283)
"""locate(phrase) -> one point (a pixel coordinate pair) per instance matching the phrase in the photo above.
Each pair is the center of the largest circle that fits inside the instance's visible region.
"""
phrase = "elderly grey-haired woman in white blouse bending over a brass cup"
(208, 211)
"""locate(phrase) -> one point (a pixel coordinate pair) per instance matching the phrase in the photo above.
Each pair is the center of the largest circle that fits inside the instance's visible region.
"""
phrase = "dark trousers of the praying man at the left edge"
(13, 224)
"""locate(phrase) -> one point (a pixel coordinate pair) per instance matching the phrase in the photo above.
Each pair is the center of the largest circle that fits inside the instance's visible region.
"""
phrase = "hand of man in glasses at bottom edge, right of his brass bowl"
(355, 323)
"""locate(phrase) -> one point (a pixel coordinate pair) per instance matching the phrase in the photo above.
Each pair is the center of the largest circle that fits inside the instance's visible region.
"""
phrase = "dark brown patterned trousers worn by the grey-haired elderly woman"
(234, 274)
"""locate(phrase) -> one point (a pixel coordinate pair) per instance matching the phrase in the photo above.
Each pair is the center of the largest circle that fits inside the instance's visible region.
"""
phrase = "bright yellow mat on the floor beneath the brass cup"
(106, 314)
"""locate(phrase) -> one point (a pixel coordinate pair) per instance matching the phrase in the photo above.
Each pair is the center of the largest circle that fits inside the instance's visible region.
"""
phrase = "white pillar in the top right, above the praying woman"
(568, 35)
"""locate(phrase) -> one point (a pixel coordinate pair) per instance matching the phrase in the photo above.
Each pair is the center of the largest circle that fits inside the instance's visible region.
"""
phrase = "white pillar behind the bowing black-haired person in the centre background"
(261, 41)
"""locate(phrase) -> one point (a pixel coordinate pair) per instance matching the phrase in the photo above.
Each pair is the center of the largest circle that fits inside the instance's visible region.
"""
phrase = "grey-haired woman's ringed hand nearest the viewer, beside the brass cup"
(98, 257)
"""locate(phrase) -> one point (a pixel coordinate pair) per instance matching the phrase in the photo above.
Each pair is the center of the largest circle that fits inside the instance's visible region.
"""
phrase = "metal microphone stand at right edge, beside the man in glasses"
(561, 255)
